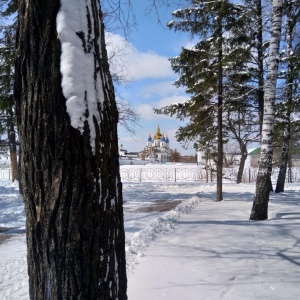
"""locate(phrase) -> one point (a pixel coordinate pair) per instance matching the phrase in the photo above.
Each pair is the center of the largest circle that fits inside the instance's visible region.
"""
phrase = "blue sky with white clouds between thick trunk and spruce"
(147, 63)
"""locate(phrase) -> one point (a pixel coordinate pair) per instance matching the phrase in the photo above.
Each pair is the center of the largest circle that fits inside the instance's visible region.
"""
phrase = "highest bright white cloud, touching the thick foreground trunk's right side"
(139, 65)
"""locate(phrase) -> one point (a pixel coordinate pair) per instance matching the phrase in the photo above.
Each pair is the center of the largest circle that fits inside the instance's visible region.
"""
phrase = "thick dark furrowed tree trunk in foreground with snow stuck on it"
(69, 161)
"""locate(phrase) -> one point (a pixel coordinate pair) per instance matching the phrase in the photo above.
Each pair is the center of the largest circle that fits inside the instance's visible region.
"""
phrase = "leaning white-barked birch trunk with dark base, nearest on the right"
(263, 182)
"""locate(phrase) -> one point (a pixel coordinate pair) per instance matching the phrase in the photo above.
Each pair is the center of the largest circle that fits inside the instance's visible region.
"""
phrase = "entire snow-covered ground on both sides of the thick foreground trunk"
(182, 245)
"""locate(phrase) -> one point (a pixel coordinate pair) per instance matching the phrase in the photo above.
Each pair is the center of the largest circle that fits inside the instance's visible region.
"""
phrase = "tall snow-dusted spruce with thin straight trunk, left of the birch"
(206, 68)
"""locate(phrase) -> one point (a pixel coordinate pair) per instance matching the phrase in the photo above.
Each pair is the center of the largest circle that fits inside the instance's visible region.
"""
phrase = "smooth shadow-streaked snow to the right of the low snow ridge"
(216, 253)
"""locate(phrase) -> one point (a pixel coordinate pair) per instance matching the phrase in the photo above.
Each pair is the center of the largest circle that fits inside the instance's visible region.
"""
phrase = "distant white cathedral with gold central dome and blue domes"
(158, 147)
